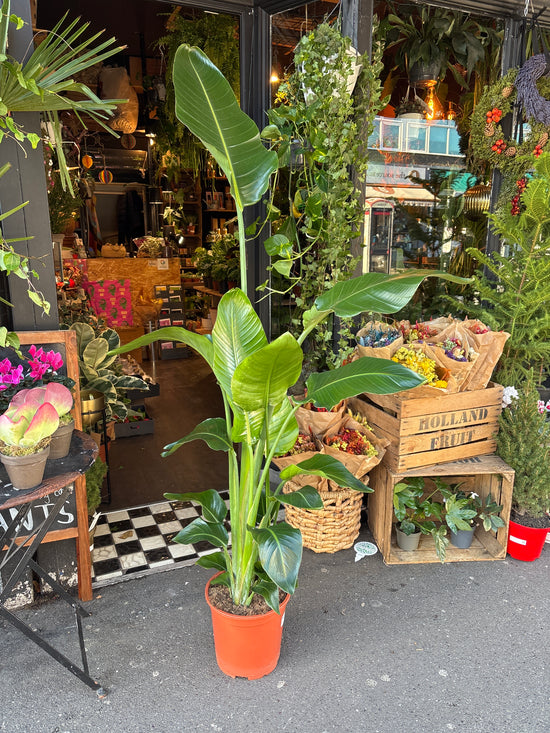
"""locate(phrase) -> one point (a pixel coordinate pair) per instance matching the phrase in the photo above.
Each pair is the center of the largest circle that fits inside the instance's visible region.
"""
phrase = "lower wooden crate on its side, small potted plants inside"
(482, 474)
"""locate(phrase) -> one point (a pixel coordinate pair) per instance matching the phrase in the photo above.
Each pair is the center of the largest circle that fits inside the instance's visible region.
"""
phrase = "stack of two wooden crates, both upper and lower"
(452, 436)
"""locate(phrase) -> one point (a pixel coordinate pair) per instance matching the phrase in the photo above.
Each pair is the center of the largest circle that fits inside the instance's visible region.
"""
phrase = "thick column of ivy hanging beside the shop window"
(319, 129)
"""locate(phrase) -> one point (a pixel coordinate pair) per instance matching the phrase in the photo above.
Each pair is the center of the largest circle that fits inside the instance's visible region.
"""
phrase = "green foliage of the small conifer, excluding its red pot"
(523, 442)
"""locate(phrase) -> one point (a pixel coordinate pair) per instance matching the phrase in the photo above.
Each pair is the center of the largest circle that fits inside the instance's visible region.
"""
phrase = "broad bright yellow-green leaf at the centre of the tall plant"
(264, 377)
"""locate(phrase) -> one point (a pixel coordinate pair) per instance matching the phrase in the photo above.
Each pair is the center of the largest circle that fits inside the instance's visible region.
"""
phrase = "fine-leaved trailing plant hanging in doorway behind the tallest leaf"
(218, 37)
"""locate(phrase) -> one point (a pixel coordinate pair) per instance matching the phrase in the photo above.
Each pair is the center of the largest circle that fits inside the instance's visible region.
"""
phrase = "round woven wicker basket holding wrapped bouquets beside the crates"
(333, 528)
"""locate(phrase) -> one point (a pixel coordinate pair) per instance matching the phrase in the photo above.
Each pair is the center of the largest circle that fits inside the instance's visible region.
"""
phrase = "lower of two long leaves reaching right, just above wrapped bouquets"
(367, 374)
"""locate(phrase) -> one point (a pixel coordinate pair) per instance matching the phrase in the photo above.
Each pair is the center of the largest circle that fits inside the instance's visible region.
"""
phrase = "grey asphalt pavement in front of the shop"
(461, 647)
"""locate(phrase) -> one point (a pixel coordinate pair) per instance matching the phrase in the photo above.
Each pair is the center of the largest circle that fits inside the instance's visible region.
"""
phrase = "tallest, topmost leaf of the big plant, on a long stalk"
(206, 104)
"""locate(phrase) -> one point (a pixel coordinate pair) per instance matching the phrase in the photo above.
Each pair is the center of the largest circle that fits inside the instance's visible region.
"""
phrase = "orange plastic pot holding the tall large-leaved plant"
(247, 646)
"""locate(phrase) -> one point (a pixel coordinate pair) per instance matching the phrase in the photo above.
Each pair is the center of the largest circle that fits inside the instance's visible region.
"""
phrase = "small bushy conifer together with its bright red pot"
(523, 442)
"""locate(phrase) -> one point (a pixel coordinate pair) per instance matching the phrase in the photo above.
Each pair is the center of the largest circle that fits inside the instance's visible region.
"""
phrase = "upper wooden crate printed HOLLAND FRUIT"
(424, 431)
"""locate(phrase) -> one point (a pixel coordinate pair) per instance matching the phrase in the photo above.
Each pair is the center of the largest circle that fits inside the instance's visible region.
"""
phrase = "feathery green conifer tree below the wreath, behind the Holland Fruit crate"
(519, 300)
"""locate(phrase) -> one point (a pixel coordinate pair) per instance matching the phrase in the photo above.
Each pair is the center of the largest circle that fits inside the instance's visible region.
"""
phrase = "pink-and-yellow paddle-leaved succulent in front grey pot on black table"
(25, 432)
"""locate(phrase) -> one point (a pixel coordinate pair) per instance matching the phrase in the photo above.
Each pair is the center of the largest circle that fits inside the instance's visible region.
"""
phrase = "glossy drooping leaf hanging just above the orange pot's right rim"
(280, 553)
